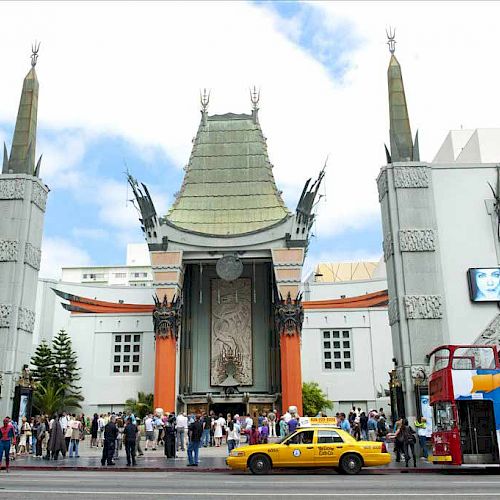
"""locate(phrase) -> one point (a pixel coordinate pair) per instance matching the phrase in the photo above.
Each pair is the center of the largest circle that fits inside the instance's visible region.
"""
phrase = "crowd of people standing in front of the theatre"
(61, 434)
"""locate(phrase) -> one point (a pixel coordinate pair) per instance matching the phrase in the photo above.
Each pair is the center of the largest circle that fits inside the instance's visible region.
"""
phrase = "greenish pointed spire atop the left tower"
(22, 154)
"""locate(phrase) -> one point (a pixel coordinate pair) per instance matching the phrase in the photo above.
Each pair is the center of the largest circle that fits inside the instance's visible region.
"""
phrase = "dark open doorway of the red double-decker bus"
(478, 437)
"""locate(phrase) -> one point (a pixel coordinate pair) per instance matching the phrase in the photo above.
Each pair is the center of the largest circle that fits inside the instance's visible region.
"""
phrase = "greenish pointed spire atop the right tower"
(402, 147)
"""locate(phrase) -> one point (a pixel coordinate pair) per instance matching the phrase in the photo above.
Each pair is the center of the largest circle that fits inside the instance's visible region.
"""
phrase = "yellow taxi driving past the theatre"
(311, 447)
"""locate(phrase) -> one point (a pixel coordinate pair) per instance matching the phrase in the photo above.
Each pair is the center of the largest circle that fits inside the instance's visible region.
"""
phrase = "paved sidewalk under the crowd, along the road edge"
(211, 460)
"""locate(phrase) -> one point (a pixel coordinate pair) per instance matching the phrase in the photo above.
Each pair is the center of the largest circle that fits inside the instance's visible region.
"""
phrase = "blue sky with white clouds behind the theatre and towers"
(119, 88)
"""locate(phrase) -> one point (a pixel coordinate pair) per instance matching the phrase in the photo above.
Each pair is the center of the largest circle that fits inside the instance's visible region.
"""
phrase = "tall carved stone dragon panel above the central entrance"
(231, 336)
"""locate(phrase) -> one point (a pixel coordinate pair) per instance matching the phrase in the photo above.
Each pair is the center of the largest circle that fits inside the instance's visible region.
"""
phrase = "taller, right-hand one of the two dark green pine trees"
(65, 363)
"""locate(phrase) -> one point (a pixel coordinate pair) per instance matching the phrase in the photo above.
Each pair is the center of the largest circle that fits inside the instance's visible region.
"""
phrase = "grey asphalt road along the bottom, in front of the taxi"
(123, 485)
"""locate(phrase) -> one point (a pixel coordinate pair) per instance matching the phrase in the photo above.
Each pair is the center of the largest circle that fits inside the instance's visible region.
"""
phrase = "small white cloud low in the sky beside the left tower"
(58, 253)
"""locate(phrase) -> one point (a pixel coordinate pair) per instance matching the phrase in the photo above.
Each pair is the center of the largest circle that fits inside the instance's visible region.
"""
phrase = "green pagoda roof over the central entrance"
(228, 187)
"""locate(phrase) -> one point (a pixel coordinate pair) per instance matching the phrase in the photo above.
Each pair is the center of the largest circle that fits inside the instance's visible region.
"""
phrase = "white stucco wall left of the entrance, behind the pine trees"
(92, 339)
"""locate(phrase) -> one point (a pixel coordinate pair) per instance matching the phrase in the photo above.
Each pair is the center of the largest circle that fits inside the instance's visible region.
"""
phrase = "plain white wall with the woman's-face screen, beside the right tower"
(466, 239)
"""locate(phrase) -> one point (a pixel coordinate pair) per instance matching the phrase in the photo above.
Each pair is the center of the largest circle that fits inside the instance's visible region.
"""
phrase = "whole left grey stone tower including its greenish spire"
(22, 208)
